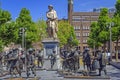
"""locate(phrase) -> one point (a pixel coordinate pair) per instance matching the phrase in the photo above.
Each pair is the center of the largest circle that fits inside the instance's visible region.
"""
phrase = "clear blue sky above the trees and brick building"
(38, 8)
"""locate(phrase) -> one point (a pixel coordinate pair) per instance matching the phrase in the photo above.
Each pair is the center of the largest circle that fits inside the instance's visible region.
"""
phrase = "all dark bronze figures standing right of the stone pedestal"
(91, 63)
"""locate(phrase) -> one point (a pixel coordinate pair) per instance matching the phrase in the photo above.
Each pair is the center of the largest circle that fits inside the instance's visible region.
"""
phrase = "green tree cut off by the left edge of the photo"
(6, 29)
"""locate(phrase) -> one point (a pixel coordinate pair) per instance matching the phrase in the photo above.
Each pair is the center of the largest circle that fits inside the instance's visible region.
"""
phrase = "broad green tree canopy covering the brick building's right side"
(99, 33)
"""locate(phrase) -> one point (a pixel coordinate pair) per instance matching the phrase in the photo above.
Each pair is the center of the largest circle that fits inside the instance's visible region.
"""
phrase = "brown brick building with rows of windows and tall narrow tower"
(81, 22)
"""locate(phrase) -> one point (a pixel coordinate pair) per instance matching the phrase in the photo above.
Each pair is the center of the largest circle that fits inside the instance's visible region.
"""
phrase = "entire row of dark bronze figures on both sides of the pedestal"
(16, 61)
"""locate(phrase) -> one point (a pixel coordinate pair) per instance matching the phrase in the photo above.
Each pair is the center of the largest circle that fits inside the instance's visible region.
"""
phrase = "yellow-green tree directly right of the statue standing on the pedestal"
(66, 34)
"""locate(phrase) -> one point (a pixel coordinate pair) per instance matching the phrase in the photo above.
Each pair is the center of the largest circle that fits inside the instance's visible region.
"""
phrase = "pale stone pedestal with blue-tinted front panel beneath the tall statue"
(50, 45)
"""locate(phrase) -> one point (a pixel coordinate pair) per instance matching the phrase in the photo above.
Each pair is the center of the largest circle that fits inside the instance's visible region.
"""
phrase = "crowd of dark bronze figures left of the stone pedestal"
(16, 61)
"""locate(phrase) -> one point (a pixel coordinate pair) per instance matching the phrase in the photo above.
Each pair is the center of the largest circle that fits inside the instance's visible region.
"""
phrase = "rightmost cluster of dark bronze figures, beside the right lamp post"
(98, 61)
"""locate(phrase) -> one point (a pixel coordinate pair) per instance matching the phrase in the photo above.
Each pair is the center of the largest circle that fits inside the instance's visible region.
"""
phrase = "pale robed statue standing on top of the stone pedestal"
(52, 22)
